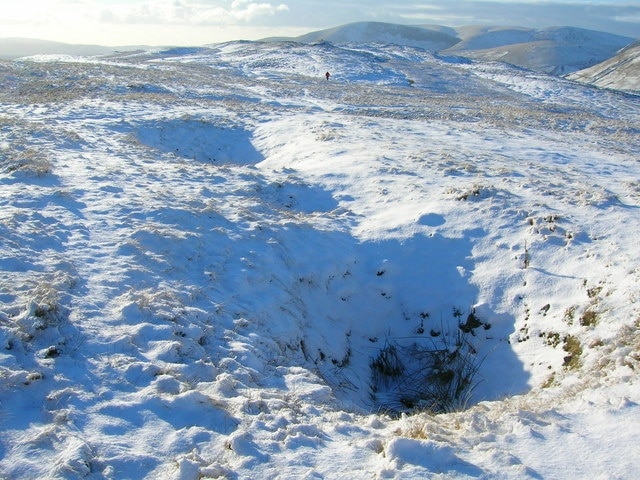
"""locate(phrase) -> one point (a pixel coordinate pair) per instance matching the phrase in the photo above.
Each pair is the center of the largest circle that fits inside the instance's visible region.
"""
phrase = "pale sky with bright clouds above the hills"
(198, 22)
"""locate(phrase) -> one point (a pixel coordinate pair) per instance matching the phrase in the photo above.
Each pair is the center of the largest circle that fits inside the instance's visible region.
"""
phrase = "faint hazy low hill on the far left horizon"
(11, 48)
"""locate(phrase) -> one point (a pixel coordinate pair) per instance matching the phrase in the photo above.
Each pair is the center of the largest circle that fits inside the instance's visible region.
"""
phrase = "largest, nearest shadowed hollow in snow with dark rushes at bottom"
(394, 325)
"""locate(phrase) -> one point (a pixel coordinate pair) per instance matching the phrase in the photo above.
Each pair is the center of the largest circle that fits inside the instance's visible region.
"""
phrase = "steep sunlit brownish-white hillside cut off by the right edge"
(621, 72)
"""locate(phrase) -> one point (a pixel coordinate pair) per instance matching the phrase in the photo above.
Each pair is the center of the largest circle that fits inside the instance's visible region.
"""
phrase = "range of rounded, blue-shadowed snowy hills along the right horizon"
(556, 50)
